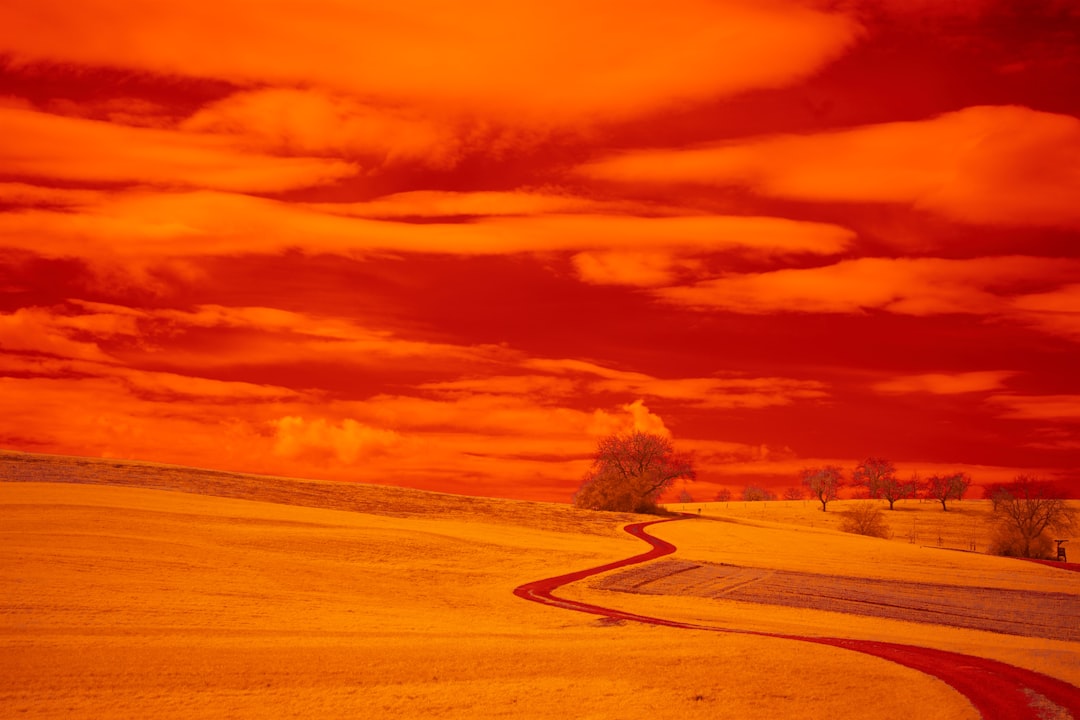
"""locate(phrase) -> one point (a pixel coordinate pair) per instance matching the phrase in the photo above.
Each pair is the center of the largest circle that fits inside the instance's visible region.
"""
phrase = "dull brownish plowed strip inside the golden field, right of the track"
(1055, 616)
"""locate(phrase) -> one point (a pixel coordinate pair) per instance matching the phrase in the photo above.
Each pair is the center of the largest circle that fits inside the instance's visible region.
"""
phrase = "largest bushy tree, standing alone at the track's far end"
(631, 471)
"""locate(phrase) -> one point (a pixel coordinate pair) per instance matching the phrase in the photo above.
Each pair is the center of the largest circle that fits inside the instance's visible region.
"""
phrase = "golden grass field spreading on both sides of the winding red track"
(215, 596)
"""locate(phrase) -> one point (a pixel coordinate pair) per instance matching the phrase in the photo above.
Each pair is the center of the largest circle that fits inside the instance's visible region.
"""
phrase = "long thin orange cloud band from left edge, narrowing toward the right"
(158, 226)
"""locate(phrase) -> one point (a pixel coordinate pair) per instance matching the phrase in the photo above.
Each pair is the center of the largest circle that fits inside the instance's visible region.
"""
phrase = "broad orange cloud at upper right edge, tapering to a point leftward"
(997, 166)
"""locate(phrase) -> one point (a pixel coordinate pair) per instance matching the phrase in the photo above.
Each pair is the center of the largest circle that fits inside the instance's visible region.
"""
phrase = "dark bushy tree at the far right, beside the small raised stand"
(1027, 510)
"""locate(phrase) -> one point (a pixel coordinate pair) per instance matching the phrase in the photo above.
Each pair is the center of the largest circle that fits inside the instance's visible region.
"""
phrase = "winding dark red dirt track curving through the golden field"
(997, 690)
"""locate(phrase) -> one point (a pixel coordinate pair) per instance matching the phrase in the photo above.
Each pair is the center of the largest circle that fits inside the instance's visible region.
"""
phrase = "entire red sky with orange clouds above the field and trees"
(452, 246)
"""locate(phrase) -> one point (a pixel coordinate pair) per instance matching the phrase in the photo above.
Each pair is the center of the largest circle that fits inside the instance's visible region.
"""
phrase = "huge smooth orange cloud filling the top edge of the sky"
(534, 63)
